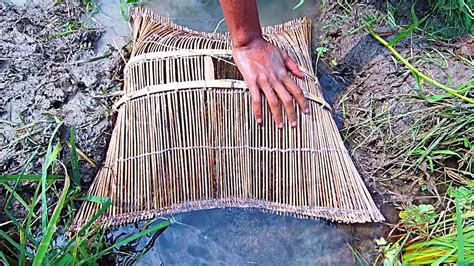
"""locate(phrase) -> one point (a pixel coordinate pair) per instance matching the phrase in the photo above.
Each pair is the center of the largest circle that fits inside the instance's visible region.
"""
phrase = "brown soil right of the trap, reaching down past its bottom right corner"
(369, 82)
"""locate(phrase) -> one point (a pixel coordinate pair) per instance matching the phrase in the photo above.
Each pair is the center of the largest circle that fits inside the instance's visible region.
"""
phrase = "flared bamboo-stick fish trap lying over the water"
(185, 137)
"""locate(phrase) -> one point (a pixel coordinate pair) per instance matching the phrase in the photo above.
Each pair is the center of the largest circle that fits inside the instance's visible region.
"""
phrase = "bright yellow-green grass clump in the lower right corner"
(430, 237)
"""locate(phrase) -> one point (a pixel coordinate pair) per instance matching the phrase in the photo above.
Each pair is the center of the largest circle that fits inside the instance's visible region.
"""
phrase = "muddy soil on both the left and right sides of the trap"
(43, 72)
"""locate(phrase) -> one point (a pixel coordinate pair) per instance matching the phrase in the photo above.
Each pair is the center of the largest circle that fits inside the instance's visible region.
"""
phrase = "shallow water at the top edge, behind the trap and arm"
(202, 15)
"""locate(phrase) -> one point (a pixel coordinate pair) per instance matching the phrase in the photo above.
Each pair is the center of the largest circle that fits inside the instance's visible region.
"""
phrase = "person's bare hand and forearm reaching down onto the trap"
(264, 67)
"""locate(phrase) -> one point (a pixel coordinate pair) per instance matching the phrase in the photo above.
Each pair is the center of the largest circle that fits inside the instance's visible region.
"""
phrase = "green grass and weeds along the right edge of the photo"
(439, 147)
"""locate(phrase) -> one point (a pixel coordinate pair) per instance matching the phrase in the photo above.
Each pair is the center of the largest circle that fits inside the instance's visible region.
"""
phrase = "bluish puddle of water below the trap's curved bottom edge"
(240, 236)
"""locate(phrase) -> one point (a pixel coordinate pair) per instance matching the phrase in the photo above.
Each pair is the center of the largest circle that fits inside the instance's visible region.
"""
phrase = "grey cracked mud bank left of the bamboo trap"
(48, 67)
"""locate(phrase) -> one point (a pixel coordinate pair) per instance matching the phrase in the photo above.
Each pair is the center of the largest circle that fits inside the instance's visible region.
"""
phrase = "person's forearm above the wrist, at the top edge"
(242, 20)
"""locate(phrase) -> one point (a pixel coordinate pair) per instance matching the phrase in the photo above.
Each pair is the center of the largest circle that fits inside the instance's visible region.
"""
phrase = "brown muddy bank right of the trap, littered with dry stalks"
(372, 82)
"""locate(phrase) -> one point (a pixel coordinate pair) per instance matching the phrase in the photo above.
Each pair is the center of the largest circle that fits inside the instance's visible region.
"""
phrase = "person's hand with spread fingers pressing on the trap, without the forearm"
(265, 67)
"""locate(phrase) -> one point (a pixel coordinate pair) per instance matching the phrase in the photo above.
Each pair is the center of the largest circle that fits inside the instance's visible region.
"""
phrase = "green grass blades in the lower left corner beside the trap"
(36, 235)
